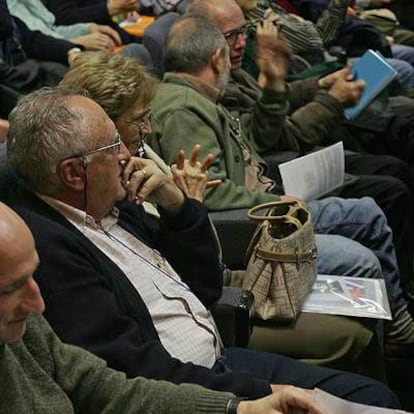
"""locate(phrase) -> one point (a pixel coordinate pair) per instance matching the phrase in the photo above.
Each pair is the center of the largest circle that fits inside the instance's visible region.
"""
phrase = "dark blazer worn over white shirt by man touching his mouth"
(91, 303)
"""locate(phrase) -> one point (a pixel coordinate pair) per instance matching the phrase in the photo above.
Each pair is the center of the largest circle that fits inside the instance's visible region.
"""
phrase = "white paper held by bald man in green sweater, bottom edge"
(333, 404)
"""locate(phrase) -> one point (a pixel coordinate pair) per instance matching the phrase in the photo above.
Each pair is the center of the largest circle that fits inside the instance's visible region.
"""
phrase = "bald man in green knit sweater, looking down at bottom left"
(40, 374)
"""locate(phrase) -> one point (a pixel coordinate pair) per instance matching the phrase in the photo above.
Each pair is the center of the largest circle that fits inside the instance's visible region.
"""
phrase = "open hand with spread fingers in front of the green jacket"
(191, 175)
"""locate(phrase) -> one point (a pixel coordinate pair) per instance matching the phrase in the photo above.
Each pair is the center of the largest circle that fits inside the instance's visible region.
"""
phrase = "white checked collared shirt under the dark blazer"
(185, 327)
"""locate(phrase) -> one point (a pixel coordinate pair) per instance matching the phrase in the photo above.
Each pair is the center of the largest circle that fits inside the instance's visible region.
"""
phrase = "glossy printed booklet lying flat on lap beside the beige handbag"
(349, 296)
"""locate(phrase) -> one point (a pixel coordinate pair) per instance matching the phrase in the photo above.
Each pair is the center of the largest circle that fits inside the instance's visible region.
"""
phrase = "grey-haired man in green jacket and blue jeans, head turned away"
(187, 110)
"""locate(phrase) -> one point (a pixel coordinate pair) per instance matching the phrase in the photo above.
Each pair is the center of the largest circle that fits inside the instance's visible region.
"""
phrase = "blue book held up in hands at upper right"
(377, 74)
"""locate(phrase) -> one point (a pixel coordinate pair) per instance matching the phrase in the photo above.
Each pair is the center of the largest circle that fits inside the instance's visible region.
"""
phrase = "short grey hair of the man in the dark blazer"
(44, 130)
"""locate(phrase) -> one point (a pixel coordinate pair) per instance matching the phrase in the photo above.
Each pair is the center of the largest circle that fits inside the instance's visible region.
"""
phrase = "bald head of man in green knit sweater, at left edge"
(20, 295)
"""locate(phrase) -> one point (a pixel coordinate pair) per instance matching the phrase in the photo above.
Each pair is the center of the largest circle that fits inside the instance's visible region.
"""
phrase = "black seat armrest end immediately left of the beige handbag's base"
(233, 314)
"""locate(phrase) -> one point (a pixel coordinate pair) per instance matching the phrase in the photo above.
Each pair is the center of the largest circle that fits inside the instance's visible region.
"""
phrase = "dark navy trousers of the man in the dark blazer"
(278, 369)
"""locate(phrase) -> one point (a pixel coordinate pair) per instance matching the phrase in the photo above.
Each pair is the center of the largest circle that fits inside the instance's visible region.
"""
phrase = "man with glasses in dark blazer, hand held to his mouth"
(123, 284)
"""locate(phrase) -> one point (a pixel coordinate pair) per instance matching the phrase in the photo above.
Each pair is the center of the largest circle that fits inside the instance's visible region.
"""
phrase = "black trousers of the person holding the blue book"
(387, 179)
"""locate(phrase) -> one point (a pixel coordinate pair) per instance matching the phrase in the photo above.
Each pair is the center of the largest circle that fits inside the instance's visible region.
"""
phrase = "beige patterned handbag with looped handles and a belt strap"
(281, 259)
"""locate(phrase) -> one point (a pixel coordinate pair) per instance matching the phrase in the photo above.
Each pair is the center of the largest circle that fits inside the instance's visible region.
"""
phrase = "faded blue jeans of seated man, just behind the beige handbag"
(365, 248)
